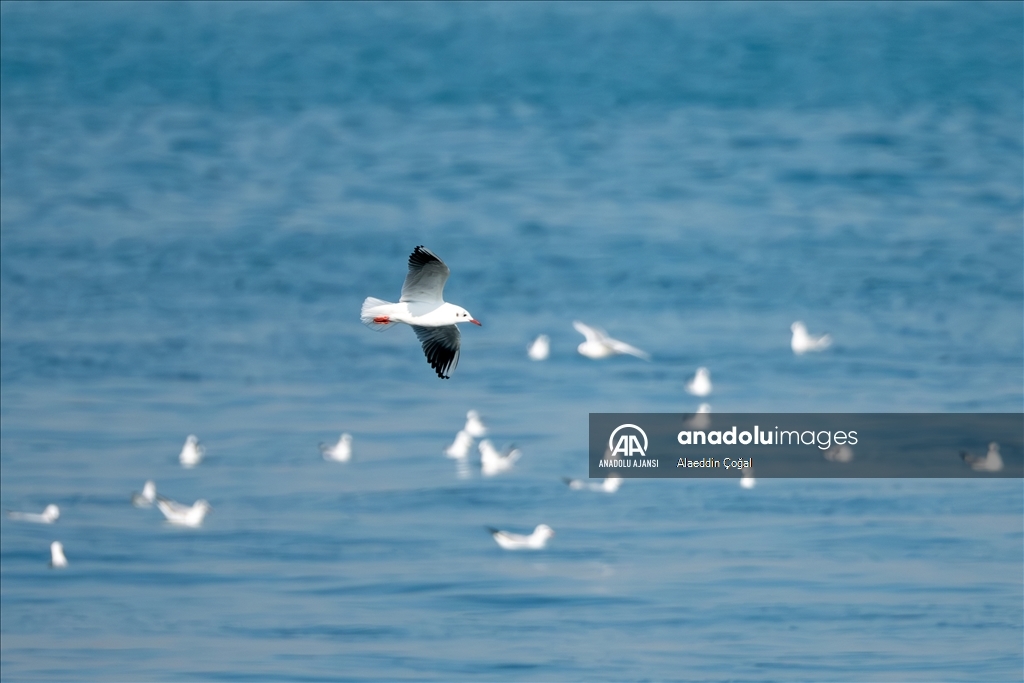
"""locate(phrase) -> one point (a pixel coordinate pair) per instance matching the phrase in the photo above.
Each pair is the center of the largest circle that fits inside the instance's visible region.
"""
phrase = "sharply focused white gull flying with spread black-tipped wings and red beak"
(422, 307)
